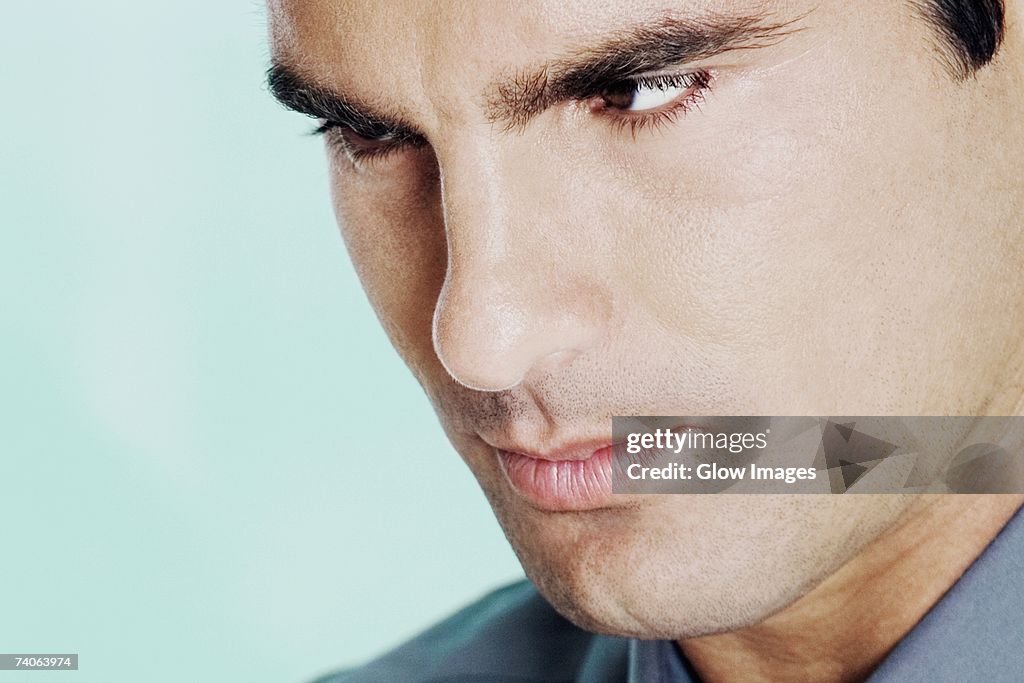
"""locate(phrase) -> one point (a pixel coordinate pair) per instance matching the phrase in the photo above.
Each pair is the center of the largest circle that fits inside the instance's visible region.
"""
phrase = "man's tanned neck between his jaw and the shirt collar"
(844, 628)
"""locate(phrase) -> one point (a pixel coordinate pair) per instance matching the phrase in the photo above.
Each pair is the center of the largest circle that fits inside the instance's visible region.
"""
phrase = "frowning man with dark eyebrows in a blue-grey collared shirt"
(564, 212)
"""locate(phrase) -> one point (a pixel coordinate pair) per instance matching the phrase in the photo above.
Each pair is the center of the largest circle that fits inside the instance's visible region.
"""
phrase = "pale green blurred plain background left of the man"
(214, 466)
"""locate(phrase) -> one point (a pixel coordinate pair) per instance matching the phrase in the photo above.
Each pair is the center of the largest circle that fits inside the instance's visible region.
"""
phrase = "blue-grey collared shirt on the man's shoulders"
(974, 633)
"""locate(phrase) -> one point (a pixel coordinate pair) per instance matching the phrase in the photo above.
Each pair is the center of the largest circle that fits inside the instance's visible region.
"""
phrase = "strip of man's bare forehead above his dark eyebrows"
(486, 33)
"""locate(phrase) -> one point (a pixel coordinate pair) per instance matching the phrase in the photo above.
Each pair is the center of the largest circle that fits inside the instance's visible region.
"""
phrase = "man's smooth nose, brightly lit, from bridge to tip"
(523, 293)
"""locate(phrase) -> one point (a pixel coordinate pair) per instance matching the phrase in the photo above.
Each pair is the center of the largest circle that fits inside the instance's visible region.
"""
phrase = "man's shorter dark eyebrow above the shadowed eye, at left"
(304, 96)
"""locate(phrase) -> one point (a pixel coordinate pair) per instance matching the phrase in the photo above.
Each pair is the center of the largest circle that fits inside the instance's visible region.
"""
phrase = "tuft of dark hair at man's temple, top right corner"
(972, 31)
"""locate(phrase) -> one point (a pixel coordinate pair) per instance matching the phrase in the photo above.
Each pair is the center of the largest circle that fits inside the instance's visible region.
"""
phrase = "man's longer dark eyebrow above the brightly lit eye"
(666, 41)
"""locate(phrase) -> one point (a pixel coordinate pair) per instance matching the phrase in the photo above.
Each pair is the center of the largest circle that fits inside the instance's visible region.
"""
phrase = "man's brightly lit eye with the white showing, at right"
(654, 94)
